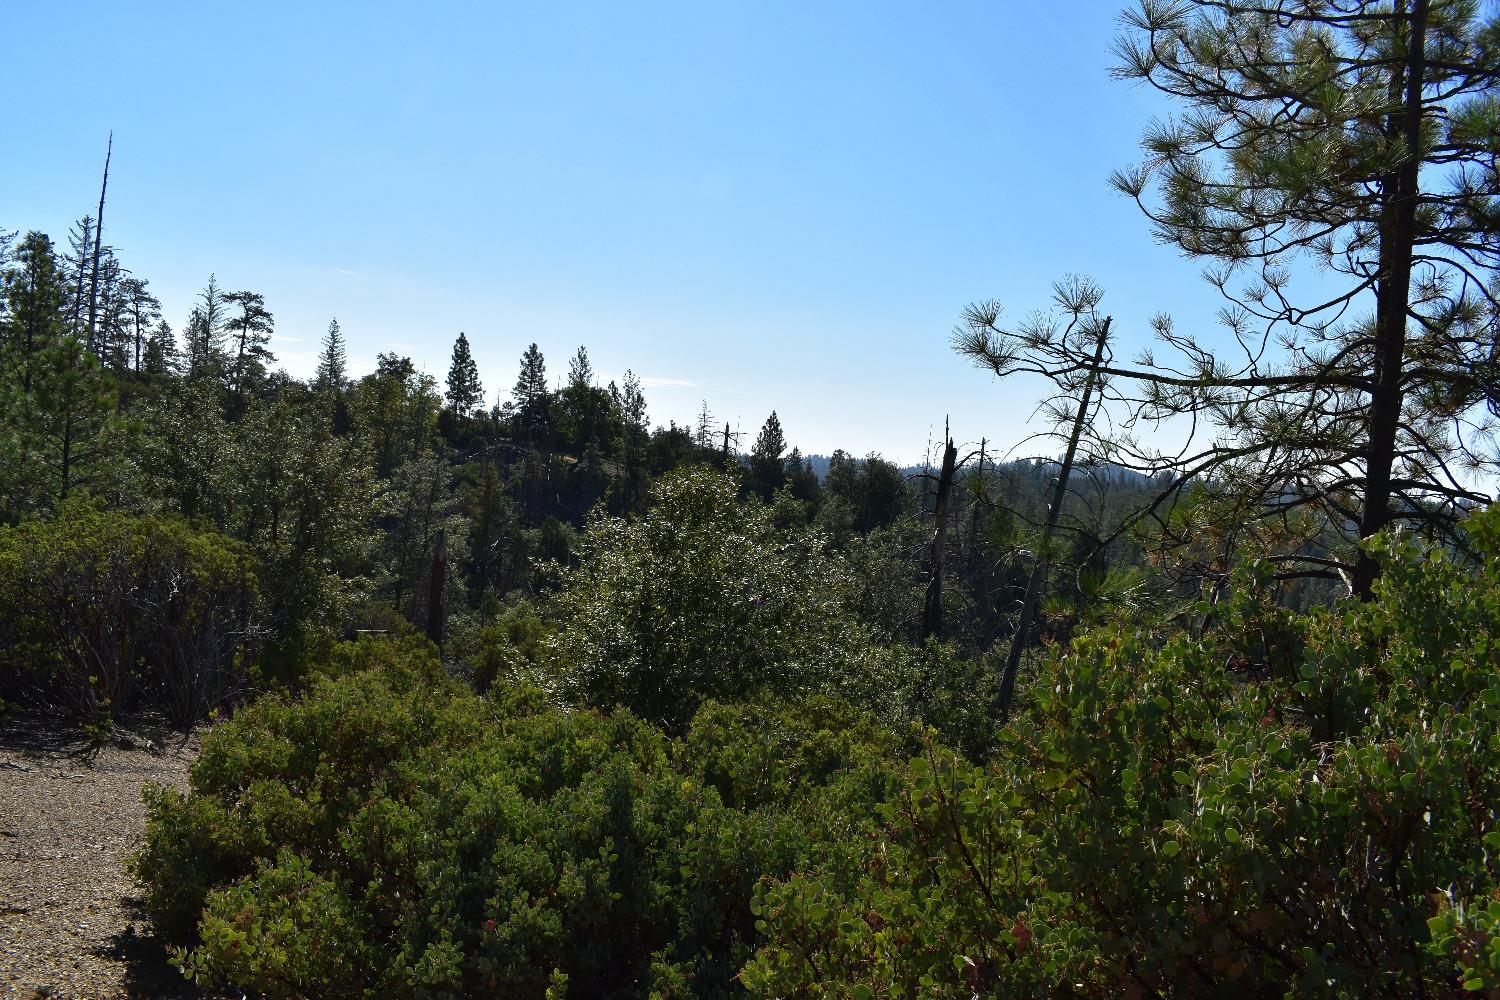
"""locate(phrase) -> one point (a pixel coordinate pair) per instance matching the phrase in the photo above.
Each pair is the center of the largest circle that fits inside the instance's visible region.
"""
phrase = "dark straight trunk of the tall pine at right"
(1397, 239)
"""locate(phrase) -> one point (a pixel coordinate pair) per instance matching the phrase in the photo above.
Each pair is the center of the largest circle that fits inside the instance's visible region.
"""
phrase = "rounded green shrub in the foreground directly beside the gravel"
(391, 833)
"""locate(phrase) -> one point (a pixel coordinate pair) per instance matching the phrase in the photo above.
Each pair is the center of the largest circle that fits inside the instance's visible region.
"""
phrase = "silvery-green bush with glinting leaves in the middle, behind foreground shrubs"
(706, 597)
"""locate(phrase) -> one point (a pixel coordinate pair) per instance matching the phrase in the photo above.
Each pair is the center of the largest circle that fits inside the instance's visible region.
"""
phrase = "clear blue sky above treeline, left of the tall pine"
(760, 205)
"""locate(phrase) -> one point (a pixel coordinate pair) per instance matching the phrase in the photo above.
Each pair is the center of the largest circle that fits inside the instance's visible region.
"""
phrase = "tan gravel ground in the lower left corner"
(71, 921)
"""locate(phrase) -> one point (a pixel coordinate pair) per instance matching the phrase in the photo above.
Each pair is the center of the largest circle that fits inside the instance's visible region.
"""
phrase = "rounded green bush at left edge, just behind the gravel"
(103, 612)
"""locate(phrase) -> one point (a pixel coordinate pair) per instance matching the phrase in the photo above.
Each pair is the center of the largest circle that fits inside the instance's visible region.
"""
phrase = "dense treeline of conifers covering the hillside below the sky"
(388, 500)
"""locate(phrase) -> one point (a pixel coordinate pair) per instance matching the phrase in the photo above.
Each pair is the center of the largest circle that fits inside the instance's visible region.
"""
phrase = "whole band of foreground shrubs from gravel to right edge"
(1280, 806)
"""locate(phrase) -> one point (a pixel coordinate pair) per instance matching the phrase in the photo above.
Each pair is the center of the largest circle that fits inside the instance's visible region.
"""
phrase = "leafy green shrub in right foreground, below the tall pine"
(1285, 807)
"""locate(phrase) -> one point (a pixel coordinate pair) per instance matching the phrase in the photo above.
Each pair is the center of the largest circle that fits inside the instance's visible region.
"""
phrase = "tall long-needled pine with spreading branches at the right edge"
(1357, 139)
